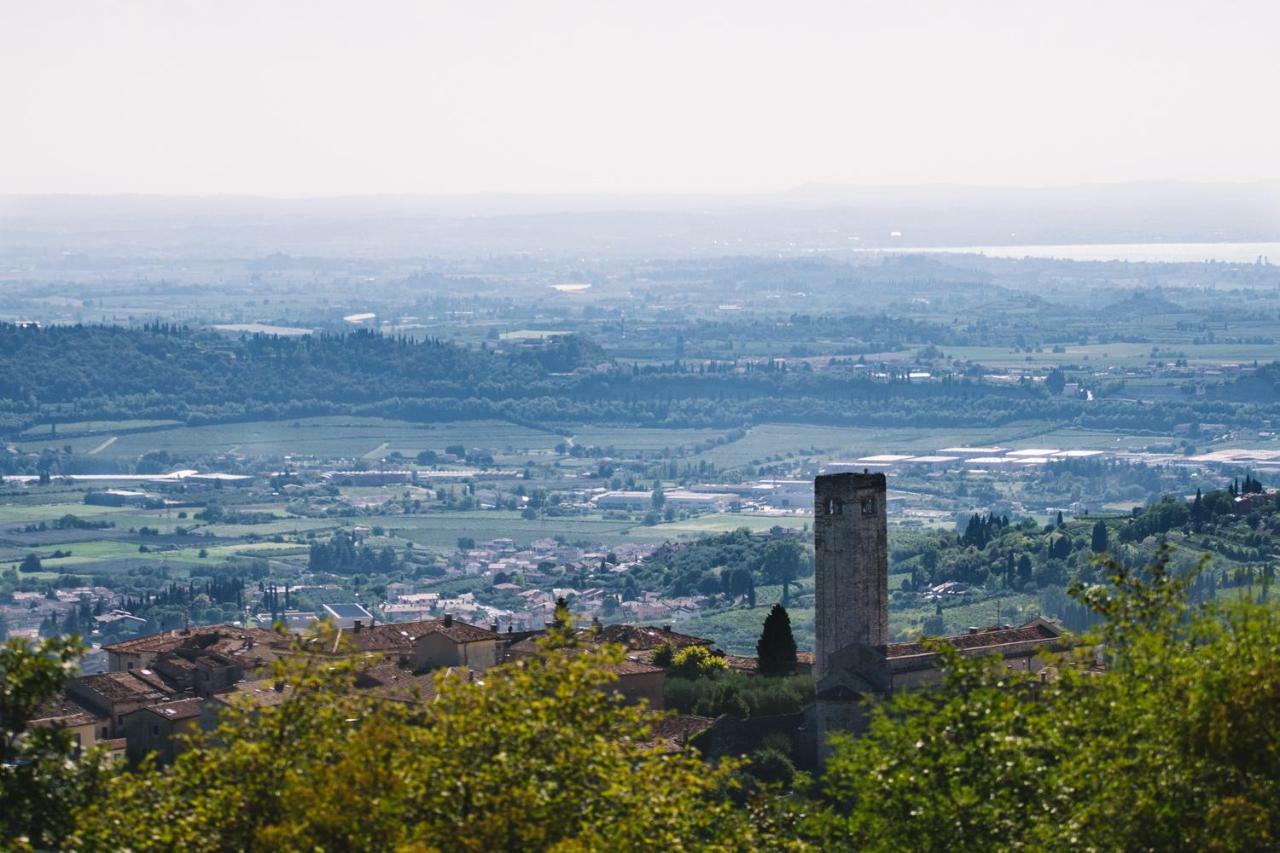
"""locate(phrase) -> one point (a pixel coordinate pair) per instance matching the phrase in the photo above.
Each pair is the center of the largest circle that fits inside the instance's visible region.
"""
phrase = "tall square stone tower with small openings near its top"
(851, 540)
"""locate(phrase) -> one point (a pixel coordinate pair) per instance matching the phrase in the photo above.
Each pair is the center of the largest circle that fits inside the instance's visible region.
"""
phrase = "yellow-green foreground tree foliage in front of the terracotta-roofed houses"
(537, 755)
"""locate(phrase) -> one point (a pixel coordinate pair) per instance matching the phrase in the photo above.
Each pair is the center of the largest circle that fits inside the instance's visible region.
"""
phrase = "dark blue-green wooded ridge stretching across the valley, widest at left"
(167, 372)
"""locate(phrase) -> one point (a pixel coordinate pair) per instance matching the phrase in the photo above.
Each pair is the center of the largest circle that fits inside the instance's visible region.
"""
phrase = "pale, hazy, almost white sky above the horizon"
(312, 98)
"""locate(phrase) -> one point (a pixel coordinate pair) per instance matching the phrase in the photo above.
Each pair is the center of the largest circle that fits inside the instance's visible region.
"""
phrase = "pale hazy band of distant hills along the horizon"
(828, 220)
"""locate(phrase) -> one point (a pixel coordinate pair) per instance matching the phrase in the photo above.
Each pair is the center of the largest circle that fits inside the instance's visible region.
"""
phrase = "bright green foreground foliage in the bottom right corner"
(1176, 747)
